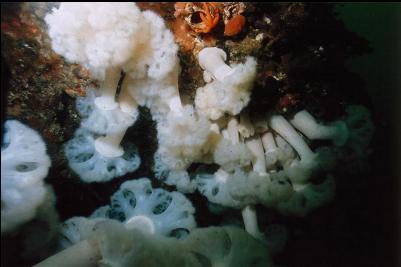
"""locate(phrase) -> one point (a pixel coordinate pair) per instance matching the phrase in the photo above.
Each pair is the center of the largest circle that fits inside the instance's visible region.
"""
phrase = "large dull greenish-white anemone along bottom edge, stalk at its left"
(109, 243)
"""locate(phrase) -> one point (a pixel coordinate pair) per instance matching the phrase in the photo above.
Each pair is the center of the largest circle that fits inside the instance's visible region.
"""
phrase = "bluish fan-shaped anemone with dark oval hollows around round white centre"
(157, 211)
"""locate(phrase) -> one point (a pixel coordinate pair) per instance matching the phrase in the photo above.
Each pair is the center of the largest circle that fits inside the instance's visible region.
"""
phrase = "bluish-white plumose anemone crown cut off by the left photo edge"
(24, 165)
